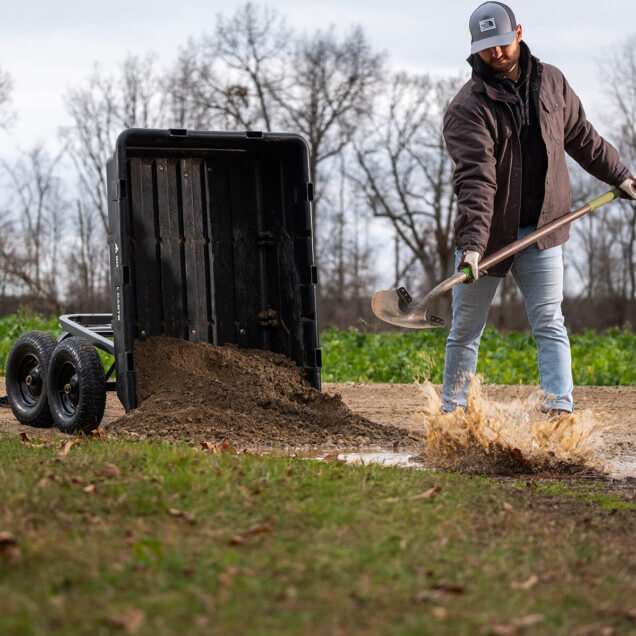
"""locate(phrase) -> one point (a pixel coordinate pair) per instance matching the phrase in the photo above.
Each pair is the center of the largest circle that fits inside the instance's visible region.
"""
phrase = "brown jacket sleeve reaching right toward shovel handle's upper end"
(586, 146)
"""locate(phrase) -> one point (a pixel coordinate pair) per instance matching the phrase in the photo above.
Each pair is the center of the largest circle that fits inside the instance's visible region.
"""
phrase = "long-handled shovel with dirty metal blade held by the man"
(396, 306)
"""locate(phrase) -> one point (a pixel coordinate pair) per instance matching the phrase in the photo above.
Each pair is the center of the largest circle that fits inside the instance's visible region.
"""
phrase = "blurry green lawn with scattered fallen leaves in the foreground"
(194, 542)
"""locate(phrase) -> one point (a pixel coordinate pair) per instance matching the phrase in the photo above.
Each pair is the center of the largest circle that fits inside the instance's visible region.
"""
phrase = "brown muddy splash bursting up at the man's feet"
(509, 437)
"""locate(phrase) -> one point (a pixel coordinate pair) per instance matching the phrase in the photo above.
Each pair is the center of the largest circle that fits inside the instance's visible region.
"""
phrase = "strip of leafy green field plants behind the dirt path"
(601, 359)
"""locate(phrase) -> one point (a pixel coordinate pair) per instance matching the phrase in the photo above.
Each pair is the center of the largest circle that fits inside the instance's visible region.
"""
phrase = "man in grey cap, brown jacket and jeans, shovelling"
(507, 131)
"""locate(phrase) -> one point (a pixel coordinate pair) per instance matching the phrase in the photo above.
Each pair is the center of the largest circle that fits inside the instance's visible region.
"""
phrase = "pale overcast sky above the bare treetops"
(49, 46)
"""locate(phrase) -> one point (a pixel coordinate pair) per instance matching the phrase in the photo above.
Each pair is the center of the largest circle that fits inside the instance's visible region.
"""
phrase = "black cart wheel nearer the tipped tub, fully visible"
(77, 386)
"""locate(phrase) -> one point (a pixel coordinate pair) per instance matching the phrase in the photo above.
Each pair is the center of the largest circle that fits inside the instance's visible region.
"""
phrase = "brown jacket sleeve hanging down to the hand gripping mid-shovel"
(471, 146)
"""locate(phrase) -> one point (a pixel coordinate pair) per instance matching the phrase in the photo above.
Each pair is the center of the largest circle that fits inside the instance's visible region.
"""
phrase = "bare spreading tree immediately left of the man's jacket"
(406, 171)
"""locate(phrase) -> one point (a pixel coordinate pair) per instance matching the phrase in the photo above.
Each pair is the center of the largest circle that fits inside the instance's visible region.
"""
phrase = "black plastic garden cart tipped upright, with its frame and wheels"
(210, 238)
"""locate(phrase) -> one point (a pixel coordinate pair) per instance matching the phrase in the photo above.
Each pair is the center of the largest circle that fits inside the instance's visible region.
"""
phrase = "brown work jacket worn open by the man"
(482, 137)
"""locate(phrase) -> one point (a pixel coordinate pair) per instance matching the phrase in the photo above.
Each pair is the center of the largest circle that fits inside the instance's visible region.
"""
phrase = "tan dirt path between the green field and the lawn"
(403, 405)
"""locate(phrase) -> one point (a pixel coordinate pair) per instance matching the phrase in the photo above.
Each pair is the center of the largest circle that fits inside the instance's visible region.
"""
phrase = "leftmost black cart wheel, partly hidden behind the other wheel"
(27, 378)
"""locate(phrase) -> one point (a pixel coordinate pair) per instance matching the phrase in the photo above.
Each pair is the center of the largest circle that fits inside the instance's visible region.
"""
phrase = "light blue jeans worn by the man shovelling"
(539, 276)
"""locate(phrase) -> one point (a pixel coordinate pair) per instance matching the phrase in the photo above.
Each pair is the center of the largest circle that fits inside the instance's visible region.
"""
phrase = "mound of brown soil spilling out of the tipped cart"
(249, 398)
